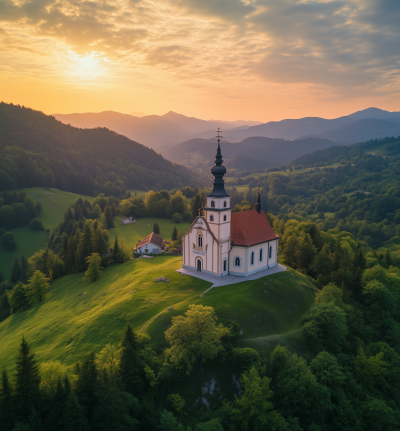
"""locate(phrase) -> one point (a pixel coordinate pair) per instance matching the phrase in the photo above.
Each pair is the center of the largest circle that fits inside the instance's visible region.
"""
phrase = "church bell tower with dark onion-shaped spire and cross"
(218, 209)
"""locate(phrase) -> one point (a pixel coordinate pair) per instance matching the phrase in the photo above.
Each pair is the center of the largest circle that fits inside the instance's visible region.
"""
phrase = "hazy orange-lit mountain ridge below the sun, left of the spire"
(155, 131)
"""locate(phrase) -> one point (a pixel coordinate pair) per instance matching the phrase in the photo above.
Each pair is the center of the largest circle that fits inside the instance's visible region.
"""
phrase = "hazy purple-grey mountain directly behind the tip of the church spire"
(262, 152)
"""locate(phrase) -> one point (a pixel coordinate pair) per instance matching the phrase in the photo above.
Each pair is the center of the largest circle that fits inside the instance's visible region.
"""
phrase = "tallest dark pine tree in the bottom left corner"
(27, 381)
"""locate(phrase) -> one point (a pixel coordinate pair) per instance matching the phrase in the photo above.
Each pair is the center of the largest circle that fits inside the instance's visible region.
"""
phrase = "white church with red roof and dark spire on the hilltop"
(222, 243)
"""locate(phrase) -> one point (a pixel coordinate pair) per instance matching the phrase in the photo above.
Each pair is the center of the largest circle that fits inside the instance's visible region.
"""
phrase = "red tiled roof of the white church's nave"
(250, 228)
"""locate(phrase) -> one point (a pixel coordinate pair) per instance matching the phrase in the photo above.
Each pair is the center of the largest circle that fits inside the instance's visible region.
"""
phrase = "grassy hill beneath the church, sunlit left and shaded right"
(76, 317)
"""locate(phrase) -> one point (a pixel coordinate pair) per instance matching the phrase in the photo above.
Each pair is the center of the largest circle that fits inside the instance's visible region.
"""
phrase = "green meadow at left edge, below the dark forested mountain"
(55, 204)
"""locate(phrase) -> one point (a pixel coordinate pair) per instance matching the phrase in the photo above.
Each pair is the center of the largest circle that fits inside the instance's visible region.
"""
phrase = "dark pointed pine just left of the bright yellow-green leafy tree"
(130, 363)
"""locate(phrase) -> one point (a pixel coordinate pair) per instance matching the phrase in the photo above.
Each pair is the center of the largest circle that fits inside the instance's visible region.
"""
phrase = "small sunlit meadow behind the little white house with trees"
(133, 232)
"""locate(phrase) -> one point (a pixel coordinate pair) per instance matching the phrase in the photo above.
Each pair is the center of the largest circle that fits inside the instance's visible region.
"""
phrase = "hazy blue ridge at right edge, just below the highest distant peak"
(361, 131)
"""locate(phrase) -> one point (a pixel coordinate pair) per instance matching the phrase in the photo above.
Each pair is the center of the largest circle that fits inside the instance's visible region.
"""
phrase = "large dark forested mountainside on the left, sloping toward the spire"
(38, 150)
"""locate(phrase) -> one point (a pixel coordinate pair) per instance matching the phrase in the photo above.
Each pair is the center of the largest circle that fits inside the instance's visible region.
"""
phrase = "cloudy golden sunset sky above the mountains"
(213, 59)
